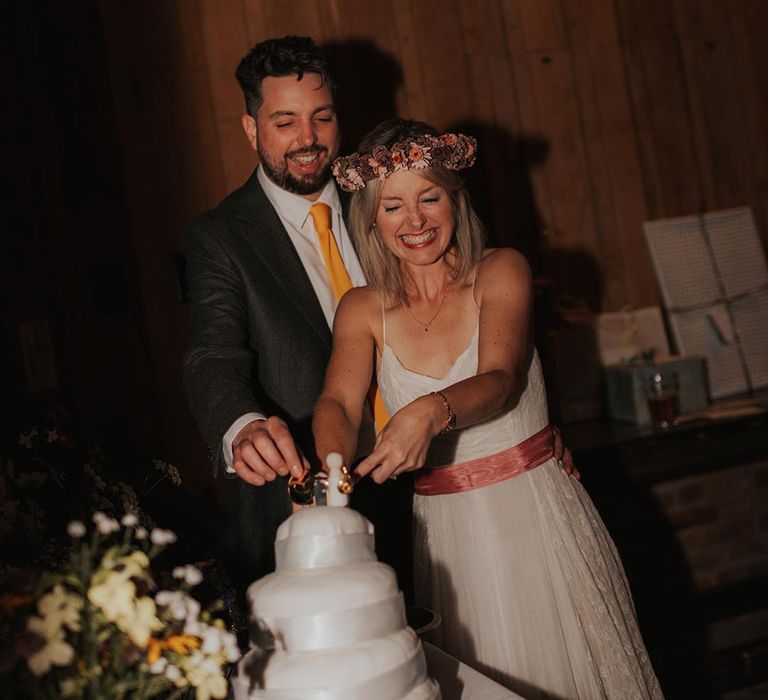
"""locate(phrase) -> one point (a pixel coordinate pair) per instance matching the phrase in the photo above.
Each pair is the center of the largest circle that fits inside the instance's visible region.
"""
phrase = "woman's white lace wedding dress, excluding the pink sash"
(527, 581)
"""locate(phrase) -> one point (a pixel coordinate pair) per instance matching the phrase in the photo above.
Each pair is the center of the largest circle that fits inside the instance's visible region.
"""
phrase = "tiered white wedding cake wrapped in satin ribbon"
(336, 617)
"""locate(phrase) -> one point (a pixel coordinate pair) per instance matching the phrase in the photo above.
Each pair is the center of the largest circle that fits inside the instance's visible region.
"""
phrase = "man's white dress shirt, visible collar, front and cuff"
(293, 211)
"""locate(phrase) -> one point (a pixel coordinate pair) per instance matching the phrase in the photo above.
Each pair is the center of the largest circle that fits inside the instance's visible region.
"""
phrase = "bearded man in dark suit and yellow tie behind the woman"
(262, 300)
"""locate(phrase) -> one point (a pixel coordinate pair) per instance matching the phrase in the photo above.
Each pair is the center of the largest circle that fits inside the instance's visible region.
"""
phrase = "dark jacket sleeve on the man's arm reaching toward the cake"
(219, 363)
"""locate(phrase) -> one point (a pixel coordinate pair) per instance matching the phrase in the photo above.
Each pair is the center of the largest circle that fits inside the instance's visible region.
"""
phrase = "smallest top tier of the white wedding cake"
(324, 536)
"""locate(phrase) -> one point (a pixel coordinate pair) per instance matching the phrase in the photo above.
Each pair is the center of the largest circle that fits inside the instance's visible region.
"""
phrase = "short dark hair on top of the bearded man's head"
(278, 58)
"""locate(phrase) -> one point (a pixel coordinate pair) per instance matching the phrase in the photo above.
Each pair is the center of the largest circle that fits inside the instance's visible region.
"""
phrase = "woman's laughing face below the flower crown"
(415, 218)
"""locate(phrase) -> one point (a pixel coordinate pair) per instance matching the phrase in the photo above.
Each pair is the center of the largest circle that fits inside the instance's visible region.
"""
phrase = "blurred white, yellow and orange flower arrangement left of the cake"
(101, 627)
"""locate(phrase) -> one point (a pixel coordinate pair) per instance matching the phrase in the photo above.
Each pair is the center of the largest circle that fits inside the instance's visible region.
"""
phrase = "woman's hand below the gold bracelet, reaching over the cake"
(403, 443)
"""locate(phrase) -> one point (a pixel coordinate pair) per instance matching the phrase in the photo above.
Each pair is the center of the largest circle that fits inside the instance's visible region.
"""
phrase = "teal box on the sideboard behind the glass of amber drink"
(627, 386)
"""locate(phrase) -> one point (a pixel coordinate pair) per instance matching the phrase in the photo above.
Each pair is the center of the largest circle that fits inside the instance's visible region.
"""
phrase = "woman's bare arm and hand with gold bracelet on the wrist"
(504, 293)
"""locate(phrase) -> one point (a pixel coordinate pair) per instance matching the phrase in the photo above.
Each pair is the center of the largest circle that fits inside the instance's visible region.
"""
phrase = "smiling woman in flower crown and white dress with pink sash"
(509, 549)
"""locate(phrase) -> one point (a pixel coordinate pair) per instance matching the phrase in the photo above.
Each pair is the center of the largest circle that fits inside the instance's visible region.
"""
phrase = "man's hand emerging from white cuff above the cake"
(264, 450)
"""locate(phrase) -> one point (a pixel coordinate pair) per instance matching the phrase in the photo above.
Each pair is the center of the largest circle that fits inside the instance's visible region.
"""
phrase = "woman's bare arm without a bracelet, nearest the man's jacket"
(338, 411)
